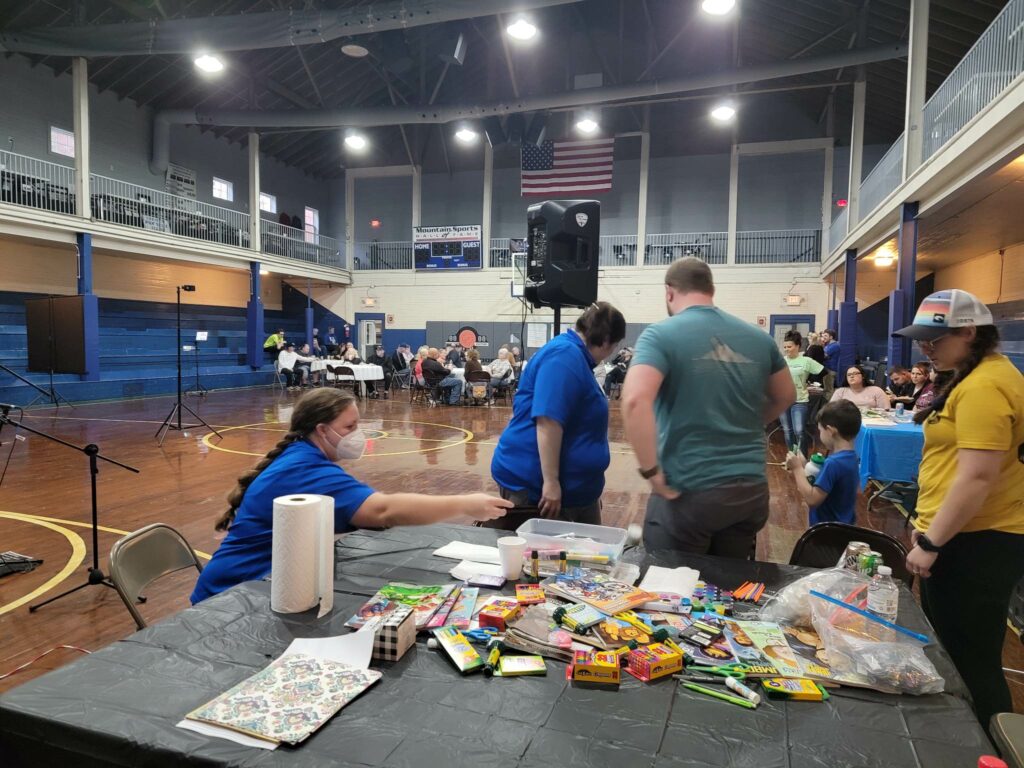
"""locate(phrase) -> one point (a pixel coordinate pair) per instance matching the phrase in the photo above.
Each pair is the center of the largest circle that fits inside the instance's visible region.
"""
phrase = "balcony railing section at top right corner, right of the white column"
(989, 69)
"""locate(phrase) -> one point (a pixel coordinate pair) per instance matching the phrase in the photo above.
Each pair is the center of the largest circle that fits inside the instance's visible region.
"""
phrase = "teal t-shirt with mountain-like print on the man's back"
(710, 407)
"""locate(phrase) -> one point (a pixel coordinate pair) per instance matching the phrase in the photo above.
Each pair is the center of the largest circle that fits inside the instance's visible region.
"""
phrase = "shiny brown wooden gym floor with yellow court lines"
(46, 513)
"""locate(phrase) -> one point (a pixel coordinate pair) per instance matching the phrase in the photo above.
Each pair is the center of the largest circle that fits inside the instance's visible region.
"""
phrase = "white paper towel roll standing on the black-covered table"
(303, 556)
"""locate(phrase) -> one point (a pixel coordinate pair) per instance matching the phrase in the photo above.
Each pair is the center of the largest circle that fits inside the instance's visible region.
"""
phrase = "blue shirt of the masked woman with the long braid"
(244, 556)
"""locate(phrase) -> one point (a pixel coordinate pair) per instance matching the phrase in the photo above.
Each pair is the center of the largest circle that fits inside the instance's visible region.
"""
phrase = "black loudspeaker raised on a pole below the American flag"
(563, 252)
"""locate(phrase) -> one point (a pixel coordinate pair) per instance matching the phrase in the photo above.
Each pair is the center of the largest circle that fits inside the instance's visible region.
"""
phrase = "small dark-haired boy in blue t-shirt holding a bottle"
(833, 498)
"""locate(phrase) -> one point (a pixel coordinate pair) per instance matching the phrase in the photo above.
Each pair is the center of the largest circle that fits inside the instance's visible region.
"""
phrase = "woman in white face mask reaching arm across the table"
(325, 430)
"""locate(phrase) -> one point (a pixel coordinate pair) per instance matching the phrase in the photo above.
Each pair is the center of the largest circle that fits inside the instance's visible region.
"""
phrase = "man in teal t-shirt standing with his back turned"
(702, 388)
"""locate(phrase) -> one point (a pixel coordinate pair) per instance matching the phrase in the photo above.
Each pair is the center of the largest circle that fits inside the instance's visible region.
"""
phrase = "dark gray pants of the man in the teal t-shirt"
(723, 521)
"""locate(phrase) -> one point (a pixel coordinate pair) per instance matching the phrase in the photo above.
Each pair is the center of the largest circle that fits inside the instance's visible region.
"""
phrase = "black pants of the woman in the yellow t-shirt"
(967, 600)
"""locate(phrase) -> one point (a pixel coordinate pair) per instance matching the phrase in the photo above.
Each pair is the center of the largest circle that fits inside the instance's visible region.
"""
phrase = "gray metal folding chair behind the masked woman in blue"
(144, 557)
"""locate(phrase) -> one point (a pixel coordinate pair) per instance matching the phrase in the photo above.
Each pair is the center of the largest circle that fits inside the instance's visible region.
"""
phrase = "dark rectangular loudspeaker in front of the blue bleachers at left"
(56, 330)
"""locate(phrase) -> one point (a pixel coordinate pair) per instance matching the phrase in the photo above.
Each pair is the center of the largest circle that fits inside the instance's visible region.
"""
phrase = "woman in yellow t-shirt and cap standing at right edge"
(969, 538)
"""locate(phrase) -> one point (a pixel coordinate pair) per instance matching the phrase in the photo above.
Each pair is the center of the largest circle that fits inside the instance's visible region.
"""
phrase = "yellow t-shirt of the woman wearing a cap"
(986, 412)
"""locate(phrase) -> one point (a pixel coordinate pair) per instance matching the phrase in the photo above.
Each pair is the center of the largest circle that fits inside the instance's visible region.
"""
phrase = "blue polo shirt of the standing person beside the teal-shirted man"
(559, 385)
